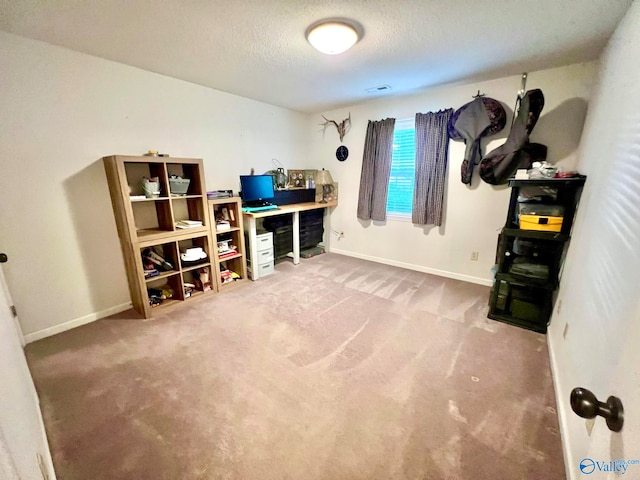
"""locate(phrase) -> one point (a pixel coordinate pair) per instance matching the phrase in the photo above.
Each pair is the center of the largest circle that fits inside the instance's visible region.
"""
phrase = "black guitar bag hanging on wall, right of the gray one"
(500, 164)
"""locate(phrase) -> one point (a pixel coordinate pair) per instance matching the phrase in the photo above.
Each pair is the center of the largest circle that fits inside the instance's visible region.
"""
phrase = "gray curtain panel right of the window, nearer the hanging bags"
(432, 151)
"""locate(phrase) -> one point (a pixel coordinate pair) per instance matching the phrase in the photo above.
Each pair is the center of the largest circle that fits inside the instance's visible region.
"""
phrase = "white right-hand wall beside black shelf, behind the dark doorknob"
(595, 330)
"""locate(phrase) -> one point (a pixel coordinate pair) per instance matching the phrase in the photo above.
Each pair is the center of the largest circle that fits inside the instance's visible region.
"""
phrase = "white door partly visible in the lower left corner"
(24, 451)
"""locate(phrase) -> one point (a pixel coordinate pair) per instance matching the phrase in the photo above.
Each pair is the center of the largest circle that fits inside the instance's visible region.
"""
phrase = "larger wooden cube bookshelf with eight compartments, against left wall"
(152, 224)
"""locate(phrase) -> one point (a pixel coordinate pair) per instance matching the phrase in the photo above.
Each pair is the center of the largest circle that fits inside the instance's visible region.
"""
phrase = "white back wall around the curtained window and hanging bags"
(473, 215)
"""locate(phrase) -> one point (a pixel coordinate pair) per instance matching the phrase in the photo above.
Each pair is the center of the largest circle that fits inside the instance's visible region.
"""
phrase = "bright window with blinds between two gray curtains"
(403, 171)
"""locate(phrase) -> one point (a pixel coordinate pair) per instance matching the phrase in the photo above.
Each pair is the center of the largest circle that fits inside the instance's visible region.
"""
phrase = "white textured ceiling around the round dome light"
(257, 49)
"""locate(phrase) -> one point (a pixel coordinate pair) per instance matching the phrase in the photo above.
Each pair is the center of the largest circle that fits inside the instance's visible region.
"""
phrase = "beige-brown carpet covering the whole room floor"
(336, 368)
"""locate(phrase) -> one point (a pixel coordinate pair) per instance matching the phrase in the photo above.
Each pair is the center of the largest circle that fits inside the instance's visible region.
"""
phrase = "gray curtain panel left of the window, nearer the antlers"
(376, 167)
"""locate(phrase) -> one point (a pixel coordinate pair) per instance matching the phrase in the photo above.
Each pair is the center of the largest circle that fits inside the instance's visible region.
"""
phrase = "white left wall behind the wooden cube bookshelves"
(60, 112)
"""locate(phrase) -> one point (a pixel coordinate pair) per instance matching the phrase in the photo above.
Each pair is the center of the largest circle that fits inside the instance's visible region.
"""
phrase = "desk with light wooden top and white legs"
(294, 210)
